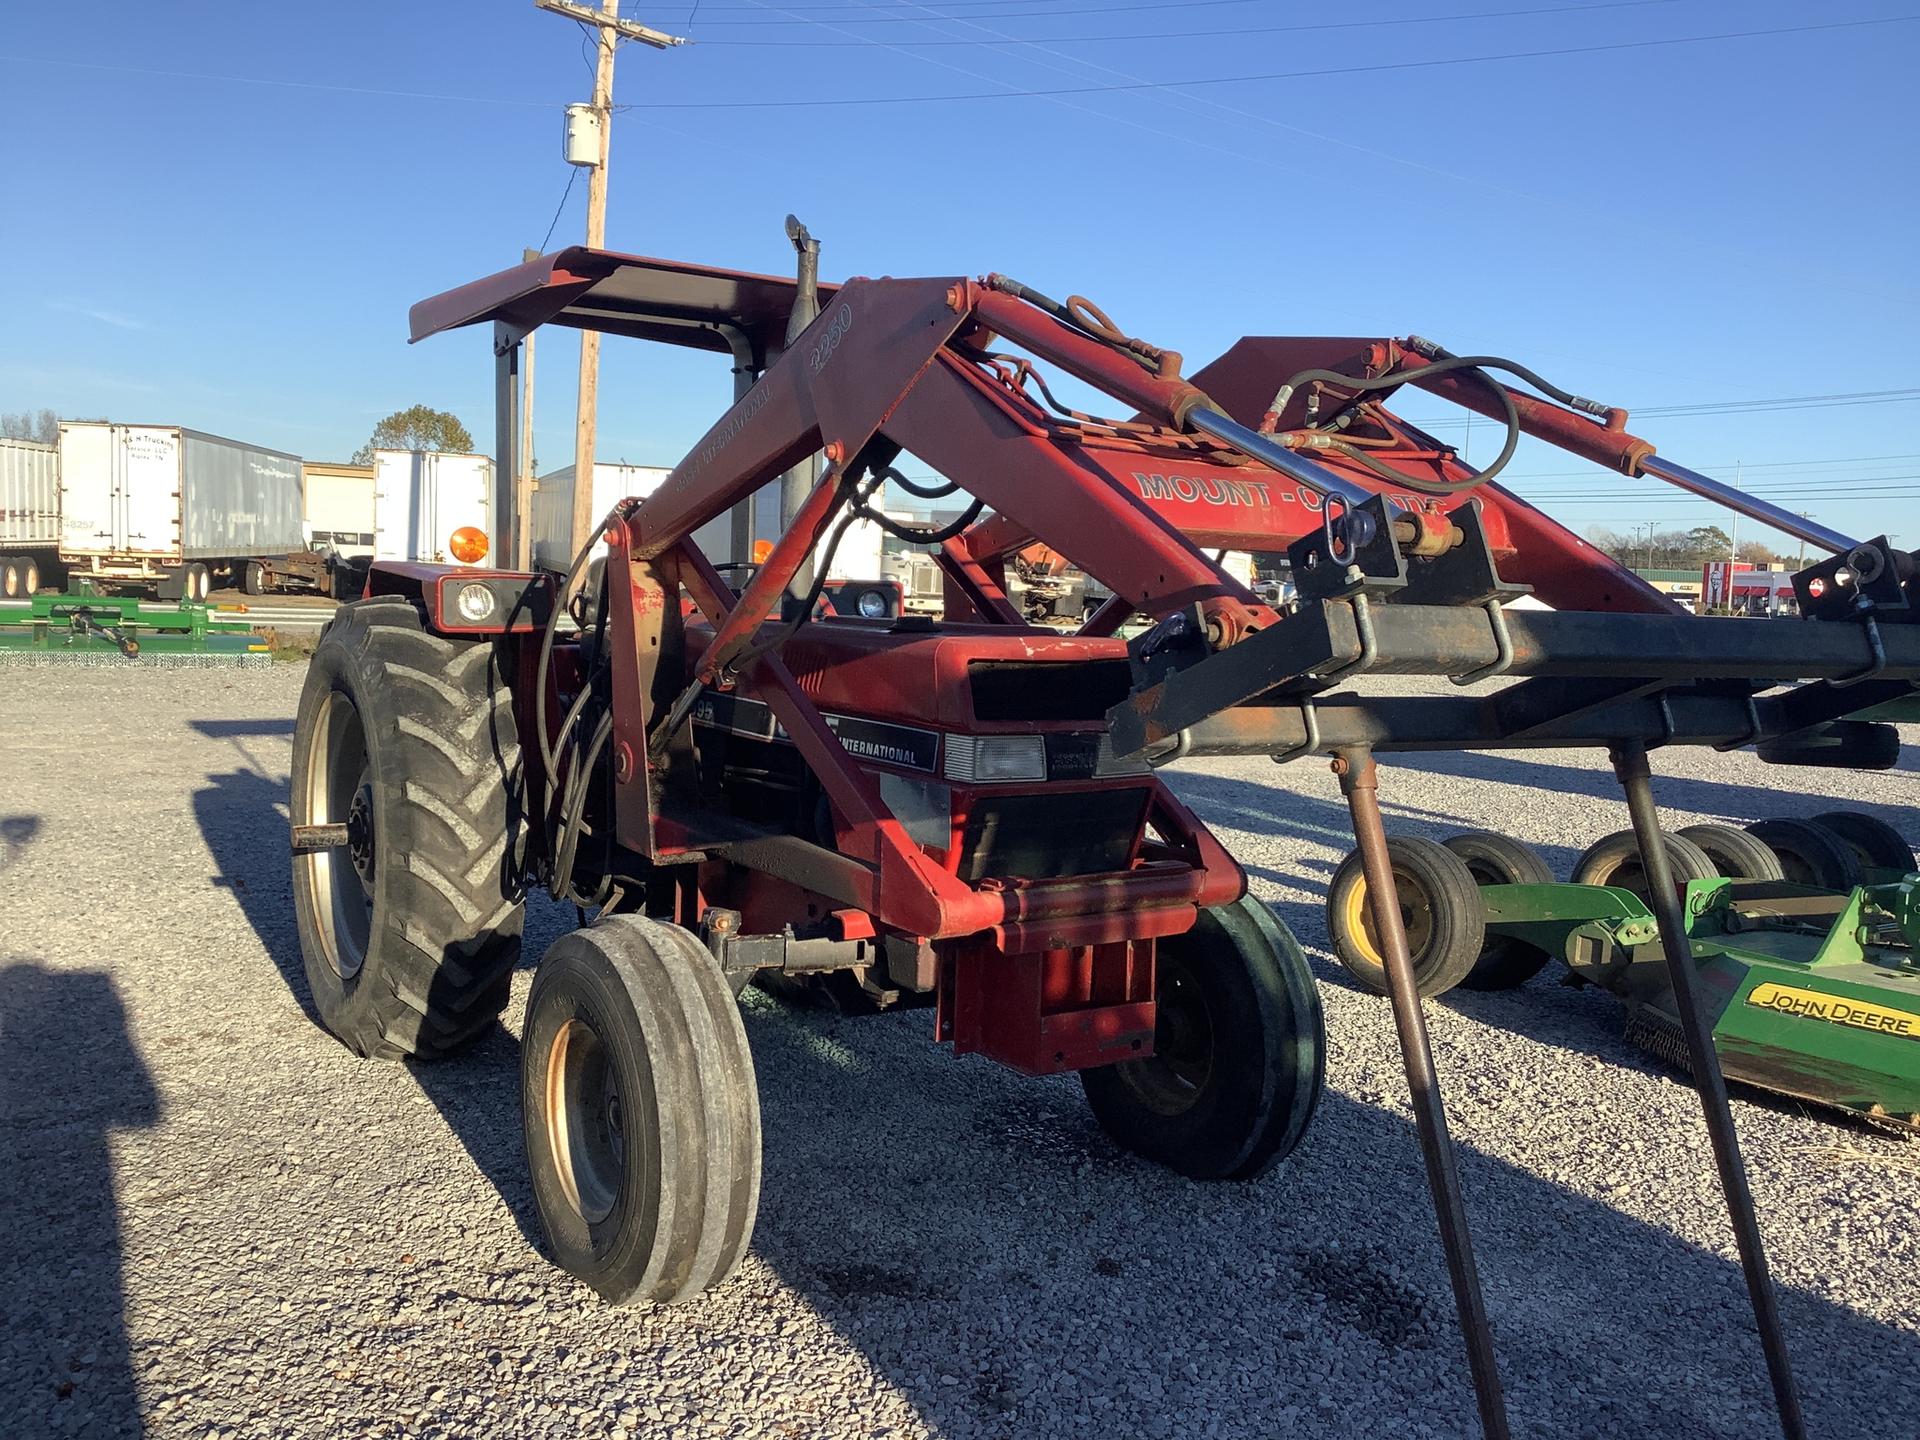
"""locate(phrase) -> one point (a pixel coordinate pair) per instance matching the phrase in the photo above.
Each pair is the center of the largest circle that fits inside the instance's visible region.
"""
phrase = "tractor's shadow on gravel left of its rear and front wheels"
(243, 821)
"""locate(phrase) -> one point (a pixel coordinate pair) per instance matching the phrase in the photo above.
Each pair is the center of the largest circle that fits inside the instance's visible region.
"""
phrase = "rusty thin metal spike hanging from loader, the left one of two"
(1360, 784)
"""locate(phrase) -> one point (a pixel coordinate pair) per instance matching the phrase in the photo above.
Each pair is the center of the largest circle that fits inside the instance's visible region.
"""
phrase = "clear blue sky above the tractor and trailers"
(218, 214)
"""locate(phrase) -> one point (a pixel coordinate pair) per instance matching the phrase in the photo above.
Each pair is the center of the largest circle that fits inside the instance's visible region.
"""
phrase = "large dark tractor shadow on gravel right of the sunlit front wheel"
(1009, 1272)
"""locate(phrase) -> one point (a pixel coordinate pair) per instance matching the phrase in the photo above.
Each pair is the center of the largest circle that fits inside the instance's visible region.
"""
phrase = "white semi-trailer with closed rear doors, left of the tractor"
(166, 508)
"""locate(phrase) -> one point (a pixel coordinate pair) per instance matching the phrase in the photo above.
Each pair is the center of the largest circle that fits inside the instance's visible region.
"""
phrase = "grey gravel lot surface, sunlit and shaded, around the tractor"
(214, 1222)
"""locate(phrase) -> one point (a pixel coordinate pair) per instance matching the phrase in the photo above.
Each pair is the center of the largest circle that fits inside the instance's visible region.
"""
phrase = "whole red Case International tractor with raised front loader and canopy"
(969, 809)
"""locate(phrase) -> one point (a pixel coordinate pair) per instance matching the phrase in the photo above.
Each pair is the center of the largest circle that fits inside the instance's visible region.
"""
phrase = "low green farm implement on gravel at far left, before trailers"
(93, 627)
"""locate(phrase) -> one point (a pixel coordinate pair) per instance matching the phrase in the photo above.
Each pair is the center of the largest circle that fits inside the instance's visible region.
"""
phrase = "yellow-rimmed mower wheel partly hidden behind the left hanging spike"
(1439, 905)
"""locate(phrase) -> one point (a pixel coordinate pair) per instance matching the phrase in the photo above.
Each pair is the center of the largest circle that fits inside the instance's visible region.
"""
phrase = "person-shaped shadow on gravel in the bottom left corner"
(70, 1076)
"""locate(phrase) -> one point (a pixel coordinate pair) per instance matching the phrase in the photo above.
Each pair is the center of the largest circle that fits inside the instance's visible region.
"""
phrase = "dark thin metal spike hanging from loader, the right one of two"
(1631, 765)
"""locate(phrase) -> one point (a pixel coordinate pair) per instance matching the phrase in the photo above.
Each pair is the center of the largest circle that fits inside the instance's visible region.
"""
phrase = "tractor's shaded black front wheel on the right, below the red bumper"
(1239, 1051)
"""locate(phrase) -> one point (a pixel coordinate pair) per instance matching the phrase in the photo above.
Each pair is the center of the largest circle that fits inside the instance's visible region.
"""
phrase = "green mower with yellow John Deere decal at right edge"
(1813, 994)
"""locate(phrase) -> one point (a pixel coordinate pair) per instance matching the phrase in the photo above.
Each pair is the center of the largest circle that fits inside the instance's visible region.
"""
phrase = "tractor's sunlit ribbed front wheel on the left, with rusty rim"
(640, 1111)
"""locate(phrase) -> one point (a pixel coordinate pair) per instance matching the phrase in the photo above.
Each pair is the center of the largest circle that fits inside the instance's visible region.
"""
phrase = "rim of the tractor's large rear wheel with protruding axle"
(339, 788)
